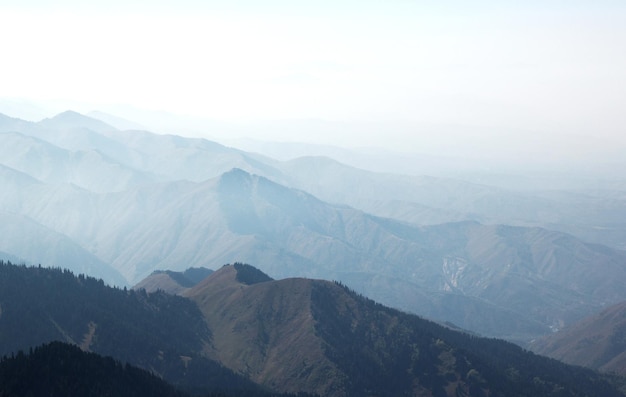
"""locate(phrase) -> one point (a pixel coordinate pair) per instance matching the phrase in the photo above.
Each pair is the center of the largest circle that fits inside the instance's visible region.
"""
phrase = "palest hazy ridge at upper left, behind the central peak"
(63, 140)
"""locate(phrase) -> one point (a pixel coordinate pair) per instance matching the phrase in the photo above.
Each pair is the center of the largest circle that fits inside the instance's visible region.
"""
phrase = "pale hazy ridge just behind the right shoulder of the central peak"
(336, 182)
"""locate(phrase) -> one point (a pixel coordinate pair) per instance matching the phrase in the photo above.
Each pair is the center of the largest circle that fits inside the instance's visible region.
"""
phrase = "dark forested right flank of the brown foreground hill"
(385, 352)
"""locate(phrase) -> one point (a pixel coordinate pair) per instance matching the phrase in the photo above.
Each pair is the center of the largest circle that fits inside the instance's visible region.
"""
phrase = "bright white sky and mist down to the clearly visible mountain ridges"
(517, 87)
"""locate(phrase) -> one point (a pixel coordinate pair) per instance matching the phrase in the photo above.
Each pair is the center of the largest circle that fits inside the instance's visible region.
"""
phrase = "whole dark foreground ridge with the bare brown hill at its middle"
(239, 331)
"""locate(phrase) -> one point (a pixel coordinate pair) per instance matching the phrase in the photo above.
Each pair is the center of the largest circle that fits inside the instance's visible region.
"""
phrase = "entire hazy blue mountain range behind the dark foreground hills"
(122, 204)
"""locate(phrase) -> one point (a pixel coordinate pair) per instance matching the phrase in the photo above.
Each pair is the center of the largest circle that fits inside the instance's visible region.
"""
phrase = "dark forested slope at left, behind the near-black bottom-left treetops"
(157, 331)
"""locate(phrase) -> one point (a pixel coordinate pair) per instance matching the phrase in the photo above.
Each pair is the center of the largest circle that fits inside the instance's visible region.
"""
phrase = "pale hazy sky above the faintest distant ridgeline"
(553, 66)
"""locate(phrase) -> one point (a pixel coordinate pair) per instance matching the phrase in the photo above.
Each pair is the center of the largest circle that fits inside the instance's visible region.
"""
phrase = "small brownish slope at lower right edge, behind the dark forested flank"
(598, 341)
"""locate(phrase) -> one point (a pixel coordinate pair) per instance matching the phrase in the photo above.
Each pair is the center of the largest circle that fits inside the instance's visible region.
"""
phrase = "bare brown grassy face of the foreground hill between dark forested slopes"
(256, 329)
